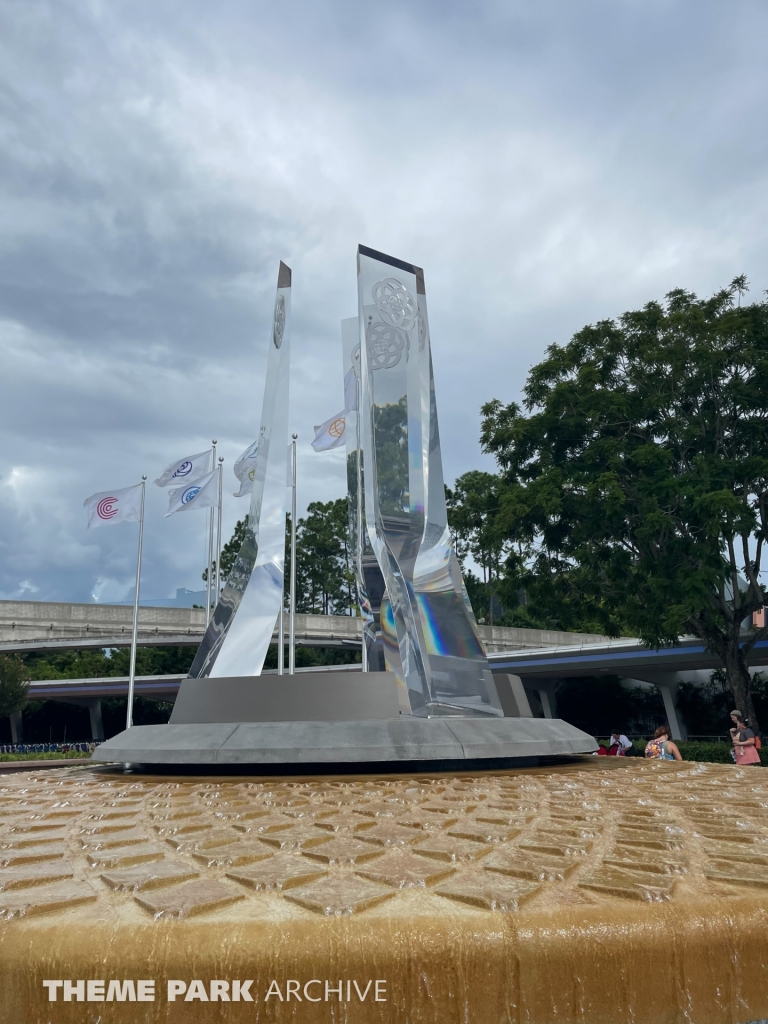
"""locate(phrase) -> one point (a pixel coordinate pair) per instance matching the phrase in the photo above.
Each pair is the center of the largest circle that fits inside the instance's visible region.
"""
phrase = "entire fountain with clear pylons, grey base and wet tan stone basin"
(391, 857)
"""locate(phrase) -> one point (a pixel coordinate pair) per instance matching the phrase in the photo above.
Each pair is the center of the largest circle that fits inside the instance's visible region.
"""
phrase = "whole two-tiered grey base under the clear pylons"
(328, 720)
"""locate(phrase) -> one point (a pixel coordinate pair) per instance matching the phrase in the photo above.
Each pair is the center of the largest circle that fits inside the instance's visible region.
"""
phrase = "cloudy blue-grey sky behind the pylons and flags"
(548, 164)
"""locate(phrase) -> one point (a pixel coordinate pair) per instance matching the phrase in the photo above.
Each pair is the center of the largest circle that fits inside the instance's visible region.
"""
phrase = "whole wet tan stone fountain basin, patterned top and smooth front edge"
(632, 891)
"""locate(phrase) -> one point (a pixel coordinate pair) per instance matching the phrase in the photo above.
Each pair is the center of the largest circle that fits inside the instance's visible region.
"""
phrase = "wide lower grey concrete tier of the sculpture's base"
(406, 741)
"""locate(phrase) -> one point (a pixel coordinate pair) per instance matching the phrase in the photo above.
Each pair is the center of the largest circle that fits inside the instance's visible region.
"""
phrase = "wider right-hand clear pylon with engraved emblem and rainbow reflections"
(429, 623)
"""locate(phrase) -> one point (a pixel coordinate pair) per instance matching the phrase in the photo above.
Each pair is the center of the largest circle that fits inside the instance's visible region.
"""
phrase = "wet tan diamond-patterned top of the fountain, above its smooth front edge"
(82, 843)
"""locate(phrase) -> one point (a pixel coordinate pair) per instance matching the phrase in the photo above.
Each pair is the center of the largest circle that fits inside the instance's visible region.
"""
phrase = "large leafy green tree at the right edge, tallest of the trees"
(636, 475)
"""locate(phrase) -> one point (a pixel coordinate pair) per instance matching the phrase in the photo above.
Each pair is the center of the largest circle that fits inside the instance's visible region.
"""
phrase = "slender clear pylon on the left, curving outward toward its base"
(238, 637)
